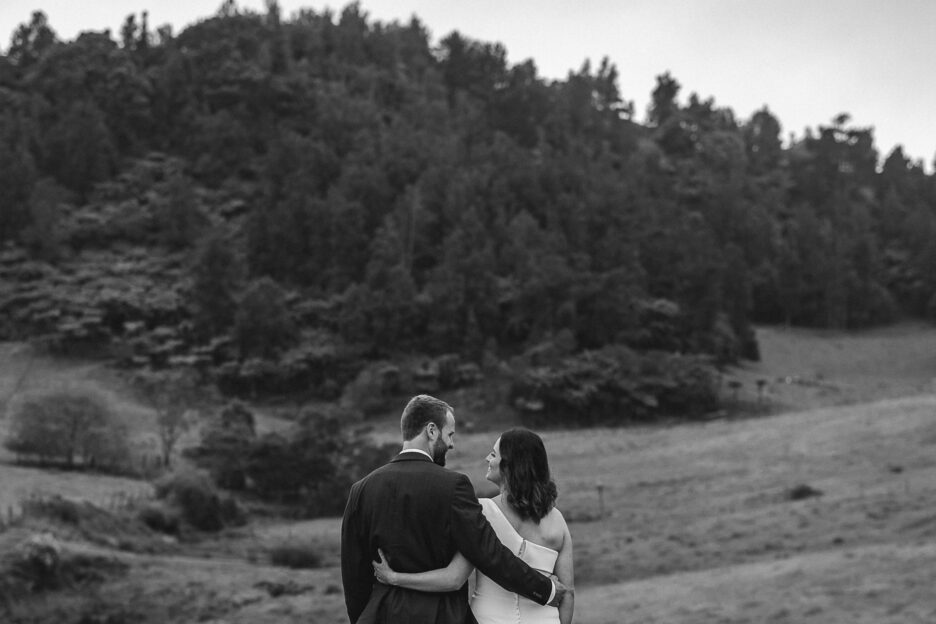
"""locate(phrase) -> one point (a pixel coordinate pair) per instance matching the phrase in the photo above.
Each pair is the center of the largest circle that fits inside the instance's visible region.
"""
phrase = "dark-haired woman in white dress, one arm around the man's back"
(526, 520)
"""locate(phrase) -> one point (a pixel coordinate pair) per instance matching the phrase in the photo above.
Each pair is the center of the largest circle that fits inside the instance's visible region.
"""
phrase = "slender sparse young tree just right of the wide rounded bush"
(175, 395)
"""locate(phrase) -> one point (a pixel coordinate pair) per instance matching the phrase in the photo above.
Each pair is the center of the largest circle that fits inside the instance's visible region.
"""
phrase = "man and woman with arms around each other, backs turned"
(414, 534)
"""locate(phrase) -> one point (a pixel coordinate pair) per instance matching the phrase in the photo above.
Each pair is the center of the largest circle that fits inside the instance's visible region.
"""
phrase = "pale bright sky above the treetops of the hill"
(805, 60)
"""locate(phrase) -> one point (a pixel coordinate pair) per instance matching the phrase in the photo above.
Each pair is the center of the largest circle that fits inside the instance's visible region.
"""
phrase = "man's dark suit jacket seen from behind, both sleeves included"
(421, 514)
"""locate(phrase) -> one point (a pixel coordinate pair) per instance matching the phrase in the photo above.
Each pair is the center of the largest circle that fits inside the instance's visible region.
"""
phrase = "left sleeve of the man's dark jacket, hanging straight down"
(357, 574)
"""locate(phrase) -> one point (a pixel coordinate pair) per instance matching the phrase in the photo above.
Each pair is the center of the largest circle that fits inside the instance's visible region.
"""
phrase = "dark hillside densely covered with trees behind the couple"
(281, 200)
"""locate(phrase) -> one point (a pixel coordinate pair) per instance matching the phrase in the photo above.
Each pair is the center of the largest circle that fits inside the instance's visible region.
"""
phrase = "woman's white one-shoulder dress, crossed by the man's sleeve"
(491, 603)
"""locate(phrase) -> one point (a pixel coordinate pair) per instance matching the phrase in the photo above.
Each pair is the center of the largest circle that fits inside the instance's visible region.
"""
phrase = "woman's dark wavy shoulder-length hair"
(525, 469)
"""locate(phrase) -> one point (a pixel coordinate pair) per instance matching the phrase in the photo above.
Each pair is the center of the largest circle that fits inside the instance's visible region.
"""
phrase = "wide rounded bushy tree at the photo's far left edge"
(70, 426)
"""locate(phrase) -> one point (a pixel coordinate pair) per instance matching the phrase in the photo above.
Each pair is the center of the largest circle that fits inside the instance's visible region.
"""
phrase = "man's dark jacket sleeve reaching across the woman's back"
(477, 541)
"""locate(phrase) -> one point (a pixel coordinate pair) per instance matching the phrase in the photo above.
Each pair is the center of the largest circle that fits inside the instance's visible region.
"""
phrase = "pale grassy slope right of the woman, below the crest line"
(702, 513)
